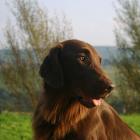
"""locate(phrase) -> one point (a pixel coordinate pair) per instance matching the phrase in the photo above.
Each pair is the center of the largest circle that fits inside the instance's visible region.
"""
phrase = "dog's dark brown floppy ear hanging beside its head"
(51, 70)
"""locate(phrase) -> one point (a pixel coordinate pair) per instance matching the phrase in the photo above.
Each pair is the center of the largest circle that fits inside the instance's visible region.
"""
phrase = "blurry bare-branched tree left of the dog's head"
(29, 39)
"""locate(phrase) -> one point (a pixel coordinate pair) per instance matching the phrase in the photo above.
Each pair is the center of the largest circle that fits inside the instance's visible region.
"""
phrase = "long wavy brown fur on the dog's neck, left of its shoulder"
(60, 113)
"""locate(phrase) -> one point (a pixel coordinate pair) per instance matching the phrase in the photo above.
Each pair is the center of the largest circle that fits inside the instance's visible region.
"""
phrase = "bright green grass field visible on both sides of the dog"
(17, 126)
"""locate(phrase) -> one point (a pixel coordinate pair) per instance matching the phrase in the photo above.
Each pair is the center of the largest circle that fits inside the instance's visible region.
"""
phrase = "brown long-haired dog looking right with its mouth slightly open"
(71, 106)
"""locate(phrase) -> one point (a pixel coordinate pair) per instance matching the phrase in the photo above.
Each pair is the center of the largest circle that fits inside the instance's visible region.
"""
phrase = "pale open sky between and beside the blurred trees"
(92, 20)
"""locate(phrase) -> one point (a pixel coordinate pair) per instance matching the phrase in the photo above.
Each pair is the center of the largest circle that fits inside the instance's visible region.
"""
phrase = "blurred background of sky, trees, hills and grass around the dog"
(30, 28)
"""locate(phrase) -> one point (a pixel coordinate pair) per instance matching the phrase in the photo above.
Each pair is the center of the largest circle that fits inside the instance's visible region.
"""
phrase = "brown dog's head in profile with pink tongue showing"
(75, 65)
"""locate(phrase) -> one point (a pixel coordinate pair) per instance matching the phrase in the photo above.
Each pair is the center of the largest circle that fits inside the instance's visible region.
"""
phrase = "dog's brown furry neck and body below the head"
(64, 119)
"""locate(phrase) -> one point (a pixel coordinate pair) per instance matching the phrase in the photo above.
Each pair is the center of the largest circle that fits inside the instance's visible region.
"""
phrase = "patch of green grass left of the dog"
(15, 126)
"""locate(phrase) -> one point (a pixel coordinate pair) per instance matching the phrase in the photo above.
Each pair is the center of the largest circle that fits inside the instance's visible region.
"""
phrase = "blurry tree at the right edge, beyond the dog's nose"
(128, 61)
